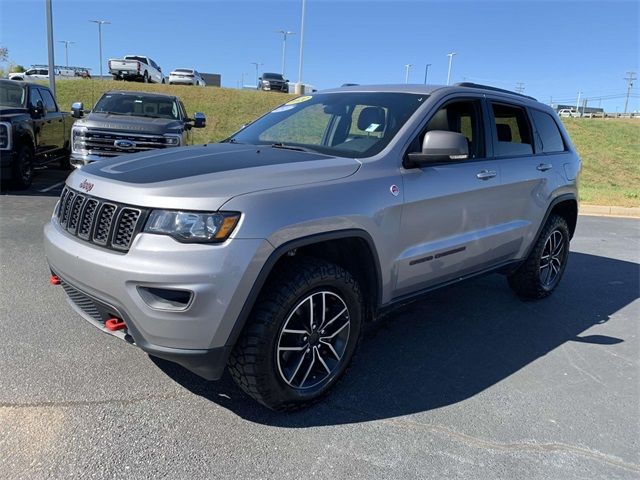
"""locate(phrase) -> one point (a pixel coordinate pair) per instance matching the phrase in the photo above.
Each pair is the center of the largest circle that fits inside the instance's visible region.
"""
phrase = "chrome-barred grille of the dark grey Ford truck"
(112, 143)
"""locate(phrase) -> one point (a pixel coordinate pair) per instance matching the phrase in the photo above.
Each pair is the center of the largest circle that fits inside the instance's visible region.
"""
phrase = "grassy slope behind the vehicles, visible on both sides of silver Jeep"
(610, 148)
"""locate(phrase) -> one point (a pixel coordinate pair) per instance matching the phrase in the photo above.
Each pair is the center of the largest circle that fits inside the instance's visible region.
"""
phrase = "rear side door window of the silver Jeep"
(512, 133)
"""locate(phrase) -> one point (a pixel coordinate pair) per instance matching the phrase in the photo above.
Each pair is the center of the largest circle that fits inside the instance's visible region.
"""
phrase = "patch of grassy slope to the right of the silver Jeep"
(610, 152)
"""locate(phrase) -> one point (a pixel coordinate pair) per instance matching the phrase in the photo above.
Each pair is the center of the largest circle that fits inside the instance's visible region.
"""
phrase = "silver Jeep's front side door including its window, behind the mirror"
(452, 223)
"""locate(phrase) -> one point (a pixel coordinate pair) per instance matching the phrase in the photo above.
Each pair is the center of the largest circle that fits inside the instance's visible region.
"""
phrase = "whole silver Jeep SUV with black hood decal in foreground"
(268, 252)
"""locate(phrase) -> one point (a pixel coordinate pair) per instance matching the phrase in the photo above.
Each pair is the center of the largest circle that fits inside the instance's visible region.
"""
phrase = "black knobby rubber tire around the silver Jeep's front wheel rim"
(253, 363)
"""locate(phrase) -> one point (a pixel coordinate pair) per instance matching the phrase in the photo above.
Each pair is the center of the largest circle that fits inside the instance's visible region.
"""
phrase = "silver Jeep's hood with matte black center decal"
(205, 177)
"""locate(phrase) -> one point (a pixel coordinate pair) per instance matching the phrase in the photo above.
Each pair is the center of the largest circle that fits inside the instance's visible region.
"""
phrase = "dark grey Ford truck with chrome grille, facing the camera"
(127, 122)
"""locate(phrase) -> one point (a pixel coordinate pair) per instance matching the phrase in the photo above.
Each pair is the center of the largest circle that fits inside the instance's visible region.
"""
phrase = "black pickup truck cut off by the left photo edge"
(33, 131)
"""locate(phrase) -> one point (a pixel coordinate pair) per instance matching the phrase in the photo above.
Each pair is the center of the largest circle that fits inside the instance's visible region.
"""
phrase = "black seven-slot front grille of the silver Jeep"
(102, 222)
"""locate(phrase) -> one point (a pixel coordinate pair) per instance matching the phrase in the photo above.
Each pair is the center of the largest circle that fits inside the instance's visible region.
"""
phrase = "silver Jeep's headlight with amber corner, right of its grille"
(192, 227)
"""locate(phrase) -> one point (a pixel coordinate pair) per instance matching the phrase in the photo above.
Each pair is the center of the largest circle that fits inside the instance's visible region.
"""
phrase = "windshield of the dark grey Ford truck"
(137, 106)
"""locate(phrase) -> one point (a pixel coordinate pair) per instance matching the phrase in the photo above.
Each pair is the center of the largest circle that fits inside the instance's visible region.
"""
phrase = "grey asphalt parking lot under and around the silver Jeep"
(469, 383)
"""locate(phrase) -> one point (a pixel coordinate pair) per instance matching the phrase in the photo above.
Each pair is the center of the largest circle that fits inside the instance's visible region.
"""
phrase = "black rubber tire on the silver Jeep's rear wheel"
(526, 281)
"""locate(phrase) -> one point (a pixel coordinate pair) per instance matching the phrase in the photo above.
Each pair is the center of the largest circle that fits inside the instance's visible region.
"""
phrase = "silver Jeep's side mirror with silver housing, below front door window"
(440, 146)
